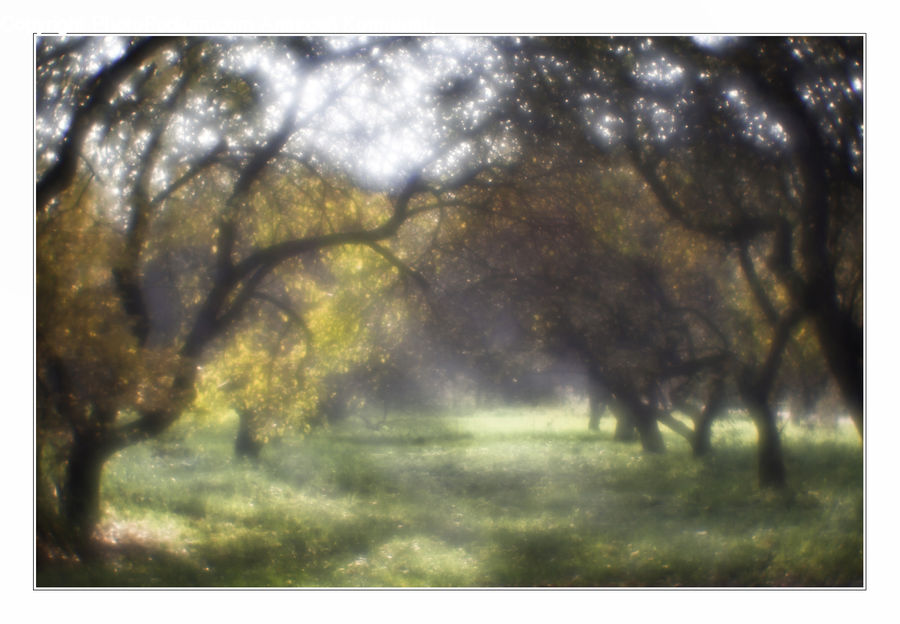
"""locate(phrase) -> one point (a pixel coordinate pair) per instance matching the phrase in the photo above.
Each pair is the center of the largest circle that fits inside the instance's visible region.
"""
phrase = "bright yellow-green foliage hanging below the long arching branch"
(281, 375)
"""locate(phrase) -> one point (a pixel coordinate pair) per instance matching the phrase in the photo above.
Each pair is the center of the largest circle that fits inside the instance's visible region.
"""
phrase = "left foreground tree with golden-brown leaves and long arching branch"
(174, 211)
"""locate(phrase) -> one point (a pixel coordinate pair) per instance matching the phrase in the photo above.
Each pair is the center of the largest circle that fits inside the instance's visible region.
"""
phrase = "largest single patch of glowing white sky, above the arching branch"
(377, 117)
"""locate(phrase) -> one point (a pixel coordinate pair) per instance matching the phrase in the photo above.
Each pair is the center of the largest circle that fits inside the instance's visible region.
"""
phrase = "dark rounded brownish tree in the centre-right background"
(570, 257)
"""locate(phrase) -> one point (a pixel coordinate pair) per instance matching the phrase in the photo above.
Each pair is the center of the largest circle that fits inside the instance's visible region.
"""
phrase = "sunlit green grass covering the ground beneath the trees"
(494, 499)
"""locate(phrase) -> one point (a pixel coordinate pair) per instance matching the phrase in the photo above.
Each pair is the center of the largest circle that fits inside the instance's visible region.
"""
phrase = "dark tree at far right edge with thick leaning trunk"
(779, 160)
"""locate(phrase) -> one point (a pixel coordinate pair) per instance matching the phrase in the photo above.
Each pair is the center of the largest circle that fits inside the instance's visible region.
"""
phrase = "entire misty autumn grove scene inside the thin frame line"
(434, 311)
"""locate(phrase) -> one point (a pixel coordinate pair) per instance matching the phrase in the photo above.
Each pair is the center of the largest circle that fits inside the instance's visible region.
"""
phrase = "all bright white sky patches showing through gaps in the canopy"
(387, 114)
